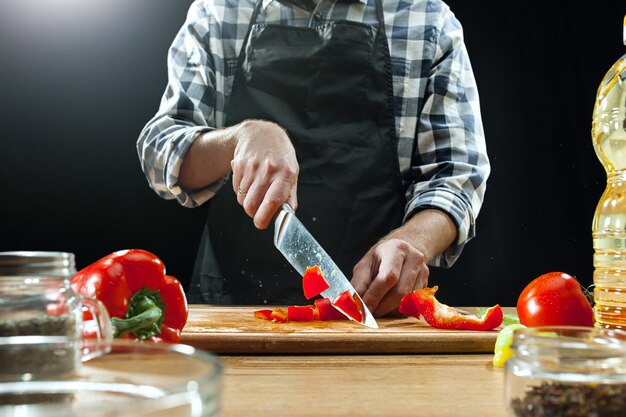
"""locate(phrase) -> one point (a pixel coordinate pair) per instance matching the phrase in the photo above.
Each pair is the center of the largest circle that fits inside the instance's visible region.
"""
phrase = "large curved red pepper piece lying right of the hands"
(423, 303)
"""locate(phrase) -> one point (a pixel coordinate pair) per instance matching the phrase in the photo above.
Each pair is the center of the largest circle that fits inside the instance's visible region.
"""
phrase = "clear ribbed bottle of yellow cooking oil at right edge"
(609, 221)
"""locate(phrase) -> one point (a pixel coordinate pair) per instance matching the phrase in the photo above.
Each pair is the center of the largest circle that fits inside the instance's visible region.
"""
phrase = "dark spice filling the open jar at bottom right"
(558, 399)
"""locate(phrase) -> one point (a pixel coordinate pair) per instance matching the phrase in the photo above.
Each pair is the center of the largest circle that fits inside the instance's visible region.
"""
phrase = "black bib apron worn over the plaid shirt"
(330, 88)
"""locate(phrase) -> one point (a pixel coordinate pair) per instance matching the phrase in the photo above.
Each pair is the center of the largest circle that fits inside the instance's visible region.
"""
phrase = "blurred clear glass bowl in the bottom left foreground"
(129, 378)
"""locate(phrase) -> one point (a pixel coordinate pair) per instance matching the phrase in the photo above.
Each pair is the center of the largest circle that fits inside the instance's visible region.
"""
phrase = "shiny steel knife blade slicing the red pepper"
(301, 249)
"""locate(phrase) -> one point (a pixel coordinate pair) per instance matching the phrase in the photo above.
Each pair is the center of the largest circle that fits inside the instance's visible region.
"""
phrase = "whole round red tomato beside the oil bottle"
(554, 299)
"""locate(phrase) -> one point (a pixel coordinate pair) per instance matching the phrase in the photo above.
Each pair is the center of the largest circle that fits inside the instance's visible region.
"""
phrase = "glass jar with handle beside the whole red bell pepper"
(36, 299)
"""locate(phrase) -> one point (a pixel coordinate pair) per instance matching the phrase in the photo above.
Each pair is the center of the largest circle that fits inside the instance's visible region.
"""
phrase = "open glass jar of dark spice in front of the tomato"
(566, 371)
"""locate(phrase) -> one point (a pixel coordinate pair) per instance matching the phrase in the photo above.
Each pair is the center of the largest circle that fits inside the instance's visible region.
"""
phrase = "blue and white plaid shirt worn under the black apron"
(441, 146)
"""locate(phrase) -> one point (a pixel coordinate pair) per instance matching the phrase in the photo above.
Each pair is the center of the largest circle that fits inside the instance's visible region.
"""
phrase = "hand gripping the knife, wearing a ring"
(265, 169)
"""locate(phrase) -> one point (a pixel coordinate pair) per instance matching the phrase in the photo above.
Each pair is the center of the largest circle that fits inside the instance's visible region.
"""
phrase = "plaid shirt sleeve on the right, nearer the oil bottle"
(449, 164)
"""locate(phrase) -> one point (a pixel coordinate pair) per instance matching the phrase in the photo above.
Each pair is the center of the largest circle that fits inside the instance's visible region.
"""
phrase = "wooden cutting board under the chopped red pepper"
(235, 330)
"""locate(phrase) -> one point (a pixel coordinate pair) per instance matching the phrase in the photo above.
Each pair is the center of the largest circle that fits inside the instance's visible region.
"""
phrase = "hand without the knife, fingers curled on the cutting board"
(388, 271)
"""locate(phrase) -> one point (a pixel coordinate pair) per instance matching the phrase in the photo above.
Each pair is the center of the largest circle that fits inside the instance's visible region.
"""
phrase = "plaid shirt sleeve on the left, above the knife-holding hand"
(184, 112)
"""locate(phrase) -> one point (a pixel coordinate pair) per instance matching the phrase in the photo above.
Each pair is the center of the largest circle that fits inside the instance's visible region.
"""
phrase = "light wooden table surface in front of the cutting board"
(355, 385)
